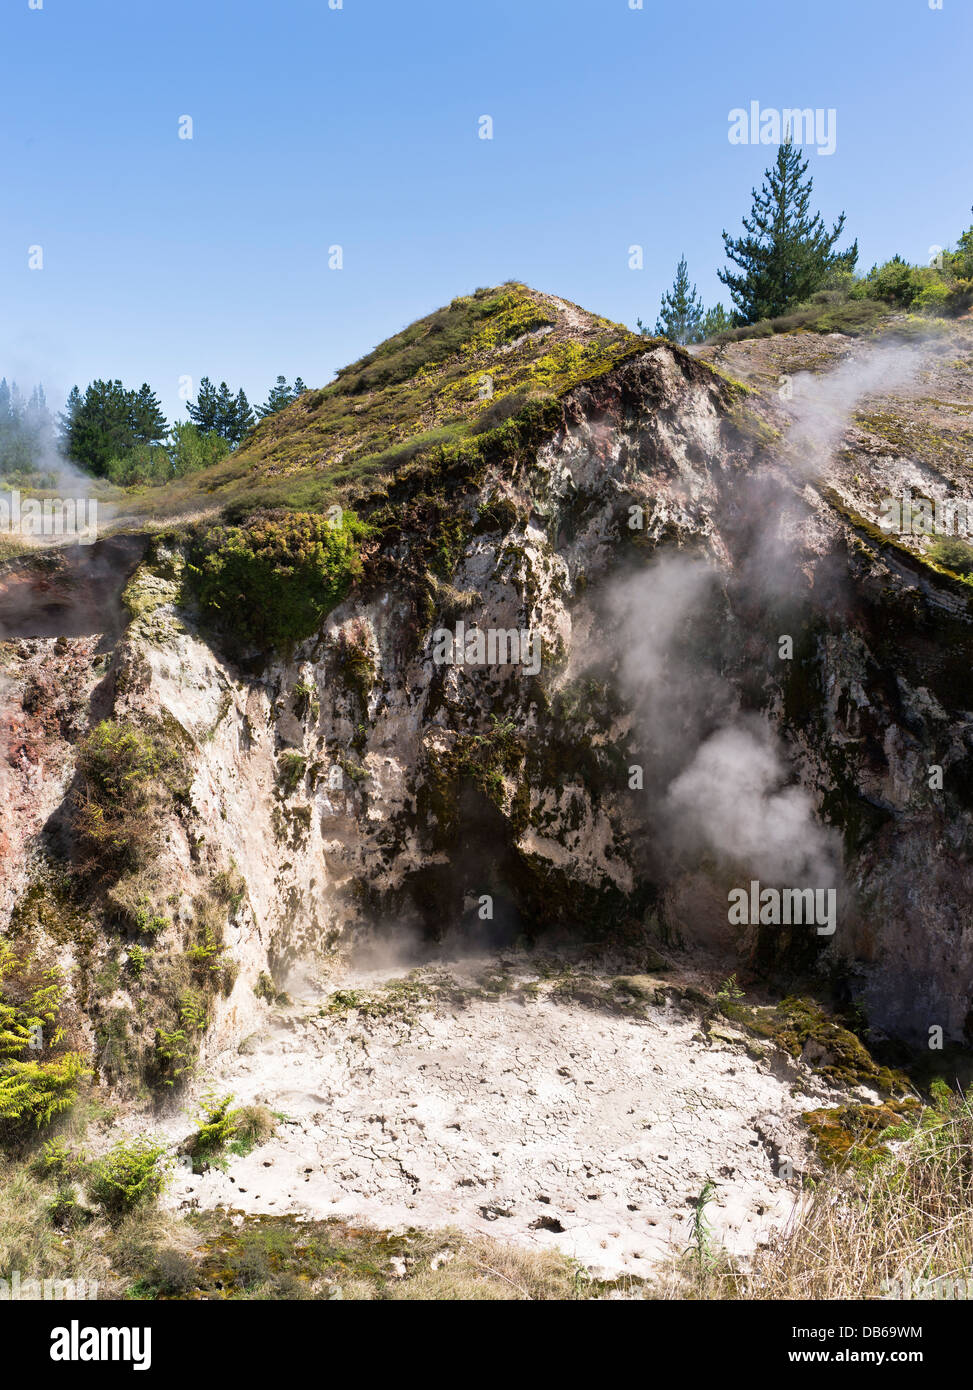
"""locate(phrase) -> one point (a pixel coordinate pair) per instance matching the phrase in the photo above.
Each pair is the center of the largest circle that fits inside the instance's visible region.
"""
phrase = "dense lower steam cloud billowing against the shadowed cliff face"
(718, 776)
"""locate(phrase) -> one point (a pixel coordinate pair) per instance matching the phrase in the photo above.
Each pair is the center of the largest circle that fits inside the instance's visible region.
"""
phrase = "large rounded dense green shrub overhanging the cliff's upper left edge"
(272, 582)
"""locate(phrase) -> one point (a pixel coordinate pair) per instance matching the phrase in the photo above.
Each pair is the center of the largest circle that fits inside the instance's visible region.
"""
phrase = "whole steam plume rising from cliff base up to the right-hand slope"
(721, 779)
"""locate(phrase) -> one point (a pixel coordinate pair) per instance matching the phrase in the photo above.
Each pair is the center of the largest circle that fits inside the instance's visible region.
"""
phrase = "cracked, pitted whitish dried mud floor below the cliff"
(539, 1121)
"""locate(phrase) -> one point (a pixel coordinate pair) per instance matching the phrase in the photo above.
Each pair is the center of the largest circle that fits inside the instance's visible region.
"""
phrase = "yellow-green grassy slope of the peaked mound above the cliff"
(447, 380)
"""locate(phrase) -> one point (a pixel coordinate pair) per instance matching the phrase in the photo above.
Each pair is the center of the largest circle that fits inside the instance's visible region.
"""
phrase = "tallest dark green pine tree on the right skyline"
(786, 254)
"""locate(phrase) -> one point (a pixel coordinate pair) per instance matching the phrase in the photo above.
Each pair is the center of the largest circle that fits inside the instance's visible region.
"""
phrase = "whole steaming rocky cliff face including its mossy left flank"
(640, 743)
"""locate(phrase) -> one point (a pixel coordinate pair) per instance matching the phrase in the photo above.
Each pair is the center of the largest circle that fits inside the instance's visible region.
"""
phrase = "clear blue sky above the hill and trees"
(167, 258)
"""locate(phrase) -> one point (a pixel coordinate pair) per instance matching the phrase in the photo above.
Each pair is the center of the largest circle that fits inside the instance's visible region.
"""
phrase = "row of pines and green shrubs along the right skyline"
(787, 255)
